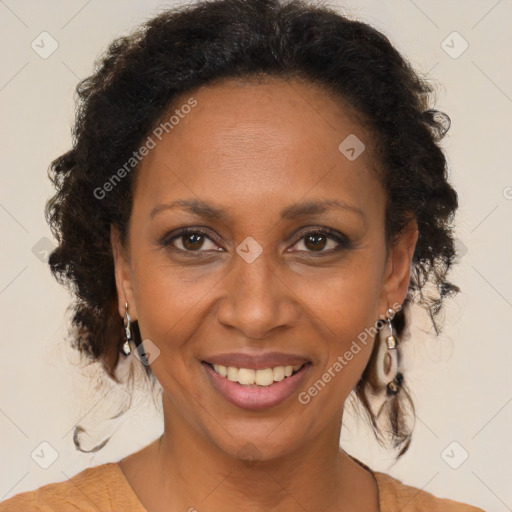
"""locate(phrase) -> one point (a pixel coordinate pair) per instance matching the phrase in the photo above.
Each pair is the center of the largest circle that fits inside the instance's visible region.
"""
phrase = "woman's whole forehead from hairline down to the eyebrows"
(275, 139)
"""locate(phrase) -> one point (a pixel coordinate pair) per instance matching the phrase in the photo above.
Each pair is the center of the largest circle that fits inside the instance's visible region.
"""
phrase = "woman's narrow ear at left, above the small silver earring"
(123, 275)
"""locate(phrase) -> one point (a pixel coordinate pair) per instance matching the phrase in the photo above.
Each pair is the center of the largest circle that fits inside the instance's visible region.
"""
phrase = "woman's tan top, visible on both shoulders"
(104, 488)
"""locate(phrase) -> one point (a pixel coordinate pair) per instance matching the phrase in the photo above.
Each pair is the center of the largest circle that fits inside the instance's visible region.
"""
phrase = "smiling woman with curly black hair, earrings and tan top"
(254, 196)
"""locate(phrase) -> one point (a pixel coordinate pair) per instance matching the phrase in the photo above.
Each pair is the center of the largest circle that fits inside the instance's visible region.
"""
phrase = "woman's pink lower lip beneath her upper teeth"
(256, 397)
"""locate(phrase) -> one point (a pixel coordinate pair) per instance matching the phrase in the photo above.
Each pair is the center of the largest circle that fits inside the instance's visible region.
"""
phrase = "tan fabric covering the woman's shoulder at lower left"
(99, 488)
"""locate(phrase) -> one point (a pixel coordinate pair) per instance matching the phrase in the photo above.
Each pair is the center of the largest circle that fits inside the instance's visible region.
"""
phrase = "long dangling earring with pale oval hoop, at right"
(386, 367)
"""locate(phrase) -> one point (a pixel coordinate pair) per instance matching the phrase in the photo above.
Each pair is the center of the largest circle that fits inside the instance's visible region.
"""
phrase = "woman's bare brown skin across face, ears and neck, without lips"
(253, 149)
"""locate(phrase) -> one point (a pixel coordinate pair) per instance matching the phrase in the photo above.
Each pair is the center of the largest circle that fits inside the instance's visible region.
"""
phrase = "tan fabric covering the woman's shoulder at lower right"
(394, 495)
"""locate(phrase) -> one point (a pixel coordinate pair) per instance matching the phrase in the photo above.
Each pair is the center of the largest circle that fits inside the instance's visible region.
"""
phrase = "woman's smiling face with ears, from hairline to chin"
(284, 264)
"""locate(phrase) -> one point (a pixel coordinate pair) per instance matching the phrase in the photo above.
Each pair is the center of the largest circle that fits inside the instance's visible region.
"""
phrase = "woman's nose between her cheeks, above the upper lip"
(256, 300)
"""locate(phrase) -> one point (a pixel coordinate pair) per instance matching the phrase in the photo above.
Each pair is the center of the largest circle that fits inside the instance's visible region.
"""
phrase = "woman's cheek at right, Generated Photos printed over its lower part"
(345, 307)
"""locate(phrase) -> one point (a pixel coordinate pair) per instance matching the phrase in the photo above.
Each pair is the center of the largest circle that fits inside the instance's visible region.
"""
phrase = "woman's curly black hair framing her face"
(140, 78)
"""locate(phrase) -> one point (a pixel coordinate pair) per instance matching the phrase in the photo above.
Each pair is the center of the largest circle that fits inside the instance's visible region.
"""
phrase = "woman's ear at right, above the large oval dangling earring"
(397, 273)
